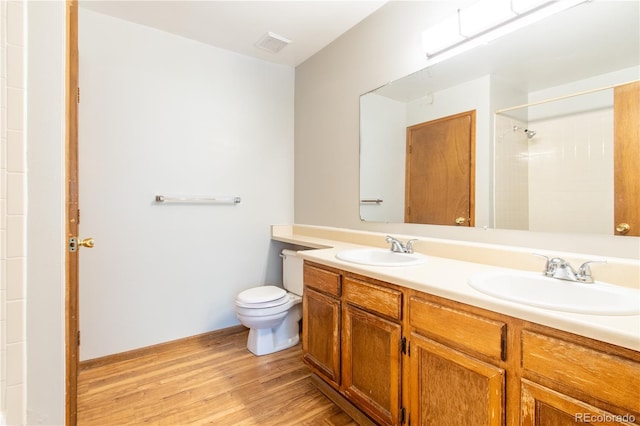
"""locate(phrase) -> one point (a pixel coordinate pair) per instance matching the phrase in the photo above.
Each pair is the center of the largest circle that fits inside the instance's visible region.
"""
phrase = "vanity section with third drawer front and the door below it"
(456, 366)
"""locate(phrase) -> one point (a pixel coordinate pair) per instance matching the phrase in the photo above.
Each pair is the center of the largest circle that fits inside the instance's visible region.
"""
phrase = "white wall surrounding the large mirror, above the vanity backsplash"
(382, 48)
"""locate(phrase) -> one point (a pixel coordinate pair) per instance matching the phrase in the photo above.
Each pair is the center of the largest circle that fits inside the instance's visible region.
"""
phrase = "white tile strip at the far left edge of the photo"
(13, 214)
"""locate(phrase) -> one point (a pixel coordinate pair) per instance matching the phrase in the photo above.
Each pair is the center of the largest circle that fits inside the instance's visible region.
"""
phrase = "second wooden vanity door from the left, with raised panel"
(371, 367)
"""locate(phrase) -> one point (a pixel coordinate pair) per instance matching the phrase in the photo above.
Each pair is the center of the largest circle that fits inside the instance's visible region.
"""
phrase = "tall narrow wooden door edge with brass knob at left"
(72, 215)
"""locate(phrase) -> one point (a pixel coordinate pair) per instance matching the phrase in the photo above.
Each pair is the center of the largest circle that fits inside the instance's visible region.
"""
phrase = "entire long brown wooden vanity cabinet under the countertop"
(402, 356)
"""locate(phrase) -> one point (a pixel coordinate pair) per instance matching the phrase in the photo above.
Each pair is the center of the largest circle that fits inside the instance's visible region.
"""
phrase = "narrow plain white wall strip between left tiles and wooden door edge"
(45, 248)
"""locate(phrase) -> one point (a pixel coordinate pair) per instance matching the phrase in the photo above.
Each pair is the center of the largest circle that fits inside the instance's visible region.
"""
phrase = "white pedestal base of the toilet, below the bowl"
(263, 341)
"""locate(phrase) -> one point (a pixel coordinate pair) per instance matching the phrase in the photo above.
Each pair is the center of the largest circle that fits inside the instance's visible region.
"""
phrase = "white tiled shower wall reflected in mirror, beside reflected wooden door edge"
(571, 169)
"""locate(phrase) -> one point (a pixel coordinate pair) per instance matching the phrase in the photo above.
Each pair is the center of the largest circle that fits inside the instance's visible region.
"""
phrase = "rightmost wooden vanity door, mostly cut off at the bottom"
(543, 406)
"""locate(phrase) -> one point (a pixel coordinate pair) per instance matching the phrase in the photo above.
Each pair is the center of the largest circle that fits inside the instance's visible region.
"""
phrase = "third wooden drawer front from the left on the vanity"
(465, 330)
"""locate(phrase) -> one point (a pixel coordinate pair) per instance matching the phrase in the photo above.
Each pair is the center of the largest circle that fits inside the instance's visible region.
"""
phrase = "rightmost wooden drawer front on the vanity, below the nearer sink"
(598, 373)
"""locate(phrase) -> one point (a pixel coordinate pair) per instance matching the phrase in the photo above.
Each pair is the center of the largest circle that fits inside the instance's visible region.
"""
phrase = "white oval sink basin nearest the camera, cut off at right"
(537, 290)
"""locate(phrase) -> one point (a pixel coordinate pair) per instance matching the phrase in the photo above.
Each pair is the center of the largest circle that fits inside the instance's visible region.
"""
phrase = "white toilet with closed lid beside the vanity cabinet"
(270, 312)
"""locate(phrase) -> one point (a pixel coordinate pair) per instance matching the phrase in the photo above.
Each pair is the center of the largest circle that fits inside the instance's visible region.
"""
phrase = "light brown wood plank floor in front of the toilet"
(208, 380)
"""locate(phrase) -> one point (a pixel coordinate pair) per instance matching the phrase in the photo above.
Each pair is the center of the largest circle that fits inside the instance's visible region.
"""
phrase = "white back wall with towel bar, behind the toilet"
(161, 114)
